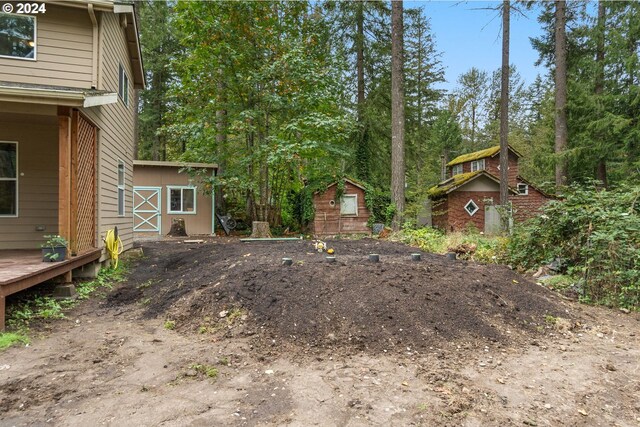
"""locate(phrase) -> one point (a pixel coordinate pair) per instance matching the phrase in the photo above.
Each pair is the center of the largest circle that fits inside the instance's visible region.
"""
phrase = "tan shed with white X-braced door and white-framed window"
(163, 191)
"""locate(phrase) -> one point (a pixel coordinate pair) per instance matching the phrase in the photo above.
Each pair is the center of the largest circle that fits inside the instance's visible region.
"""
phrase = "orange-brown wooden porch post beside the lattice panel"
(64, 172)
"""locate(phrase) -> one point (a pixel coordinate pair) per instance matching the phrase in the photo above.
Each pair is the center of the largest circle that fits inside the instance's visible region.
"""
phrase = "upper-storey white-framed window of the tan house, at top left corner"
(17, 36)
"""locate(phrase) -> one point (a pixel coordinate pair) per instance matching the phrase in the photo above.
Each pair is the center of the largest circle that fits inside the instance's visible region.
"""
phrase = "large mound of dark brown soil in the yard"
(396, 305)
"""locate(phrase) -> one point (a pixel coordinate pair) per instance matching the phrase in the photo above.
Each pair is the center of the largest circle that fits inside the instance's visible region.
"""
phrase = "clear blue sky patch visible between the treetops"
(470, 36)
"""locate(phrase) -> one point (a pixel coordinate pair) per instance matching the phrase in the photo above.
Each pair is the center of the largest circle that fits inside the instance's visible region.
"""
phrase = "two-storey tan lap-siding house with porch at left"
(67, 80)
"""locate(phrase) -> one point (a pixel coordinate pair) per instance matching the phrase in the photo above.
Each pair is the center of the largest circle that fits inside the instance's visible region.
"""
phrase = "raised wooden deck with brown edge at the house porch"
(22, 269)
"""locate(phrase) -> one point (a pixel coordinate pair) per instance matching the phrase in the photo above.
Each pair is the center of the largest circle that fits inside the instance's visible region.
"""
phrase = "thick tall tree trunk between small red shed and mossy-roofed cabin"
(397, 113)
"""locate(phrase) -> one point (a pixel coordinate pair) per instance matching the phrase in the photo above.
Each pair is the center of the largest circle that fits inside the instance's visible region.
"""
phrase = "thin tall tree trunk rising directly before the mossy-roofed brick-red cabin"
(504, 107)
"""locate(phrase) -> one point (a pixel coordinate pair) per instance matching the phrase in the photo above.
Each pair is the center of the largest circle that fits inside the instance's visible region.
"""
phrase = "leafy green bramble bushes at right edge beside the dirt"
(597, 233)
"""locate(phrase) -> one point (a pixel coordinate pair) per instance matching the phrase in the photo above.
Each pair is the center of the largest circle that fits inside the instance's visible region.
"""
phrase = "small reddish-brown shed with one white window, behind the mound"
(349, 215)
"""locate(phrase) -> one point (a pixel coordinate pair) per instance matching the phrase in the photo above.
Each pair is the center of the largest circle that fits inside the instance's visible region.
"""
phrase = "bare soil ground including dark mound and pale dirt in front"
(354, 343)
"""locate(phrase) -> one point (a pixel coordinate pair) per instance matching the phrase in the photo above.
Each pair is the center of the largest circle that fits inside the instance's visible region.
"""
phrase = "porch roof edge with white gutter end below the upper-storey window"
(55, 95)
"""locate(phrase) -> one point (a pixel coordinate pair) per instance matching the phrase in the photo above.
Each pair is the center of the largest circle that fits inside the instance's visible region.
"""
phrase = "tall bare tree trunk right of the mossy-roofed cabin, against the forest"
(561, 132)
